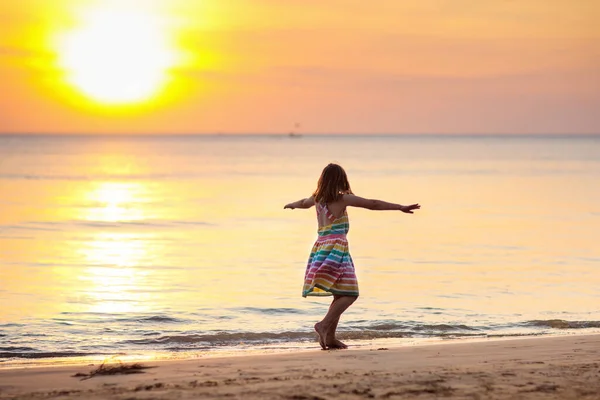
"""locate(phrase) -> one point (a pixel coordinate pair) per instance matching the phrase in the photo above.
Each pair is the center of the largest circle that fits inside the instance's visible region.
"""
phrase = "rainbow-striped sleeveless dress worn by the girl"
(330, 269)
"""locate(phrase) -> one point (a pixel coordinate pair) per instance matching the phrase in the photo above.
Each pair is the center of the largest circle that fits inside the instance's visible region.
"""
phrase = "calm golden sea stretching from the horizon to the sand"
(178, 246)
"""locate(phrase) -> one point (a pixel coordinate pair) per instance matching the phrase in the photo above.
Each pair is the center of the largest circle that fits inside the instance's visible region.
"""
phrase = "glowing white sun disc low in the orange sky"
(117, 56)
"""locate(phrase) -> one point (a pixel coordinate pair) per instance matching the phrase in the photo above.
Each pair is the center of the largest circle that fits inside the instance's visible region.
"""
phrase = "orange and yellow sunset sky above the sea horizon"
(304, 66)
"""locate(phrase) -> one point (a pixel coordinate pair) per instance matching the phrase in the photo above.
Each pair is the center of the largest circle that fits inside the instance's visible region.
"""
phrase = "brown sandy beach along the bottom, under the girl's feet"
(566, 367)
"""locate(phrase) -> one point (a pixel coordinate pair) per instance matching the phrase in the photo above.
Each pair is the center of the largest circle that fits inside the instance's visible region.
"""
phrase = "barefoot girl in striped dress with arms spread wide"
(330, 270)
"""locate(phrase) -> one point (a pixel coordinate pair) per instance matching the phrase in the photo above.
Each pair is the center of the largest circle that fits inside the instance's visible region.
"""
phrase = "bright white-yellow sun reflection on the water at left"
(115, 280)
